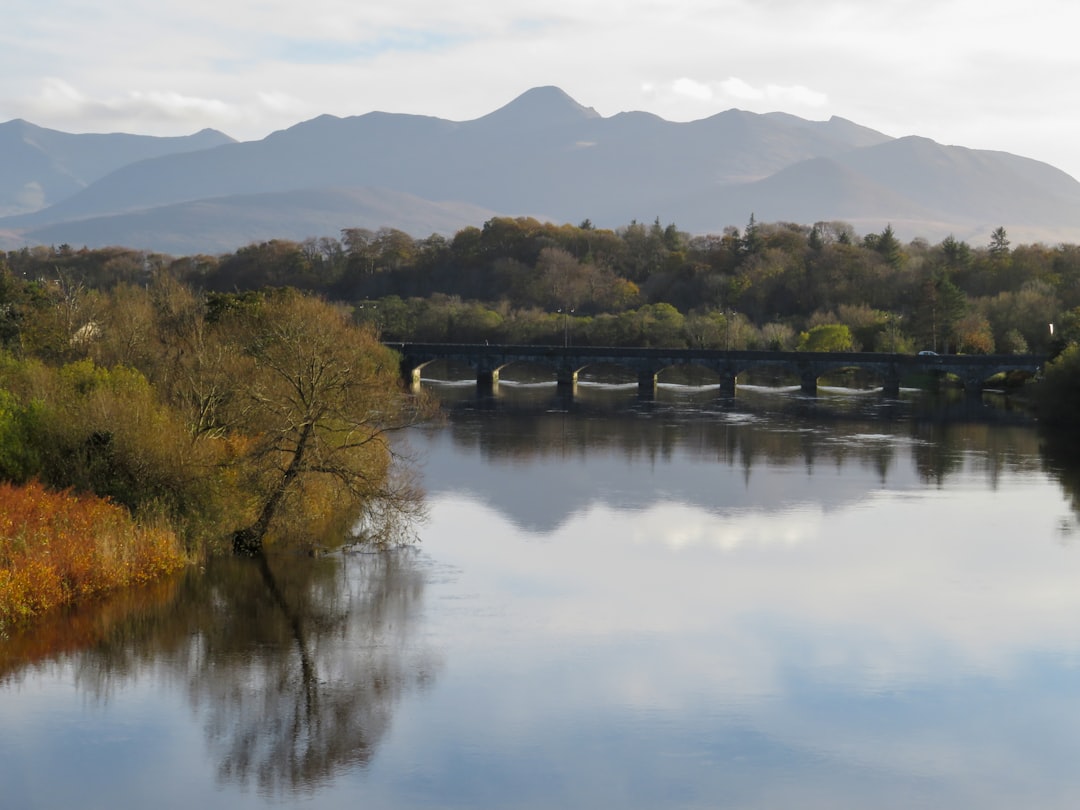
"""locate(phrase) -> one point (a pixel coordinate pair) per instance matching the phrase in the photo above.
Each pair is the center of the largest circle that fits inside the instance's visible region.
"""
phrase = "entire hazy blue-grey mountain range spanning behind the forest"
(544, 155)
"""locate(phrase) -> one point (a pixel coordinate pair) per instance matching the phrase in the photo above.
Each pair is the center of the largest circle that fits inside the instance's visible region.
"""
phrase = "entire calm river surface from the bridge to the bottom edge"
(848, 603)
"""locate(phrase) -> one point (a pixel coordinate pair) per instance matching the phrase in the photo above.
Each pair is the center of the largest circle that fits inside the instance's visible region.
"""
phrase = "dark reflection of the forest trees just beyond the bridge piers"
(775, 431)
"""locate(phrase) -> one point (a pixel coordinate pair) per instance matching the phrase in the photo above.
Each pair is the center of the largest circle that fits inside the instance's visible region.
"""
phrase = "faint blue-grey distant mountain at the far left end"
(40, 167)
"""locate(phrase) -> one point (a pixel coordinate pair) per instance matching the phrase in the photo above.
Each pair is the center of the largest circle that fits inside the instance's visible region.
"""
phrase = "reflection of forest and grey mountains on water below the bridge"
(830, 451)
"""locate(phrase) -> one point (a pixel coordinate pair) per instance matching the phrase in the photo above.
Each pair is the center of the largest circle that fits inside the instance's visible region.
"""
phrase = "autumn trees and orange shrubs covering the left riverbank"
(219, 421)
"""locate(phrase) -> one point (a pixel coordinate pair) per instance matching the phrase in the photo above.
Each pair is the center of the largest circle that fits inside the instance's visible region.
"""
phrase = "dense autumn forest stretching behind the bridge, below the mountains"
(769, 287)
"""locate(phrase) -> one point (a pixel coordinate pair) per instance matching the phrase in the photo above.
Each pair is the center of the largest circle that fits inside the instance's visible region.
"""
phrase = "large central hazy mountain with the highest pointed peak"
(543, 154)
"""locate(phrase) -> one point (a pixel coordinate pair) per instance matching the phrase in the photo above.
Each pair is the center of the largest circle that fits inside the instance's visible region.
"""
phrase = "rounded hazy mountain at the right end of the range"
(919, 187)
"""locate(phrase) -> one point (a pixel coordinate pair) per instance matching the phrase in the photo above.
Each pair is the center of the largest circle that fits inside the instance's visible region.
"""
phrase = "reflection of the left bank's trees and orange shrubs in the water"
(293, 666)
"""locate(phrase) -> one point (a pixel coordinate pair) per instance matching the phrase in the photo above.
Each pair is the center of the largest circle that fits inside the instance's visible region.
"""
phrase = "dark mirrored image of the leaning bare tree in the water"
(317, 660)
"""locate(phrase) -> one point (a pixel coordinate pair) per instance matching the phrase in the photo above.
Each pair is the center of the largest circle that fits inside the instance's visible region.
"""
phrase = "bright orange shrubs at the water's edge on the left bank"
(59, 548)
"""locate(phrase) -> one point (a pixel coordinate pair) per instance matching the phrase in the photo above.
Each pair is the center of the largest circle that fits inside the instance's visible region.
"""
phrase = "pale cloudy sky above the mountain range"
(981, 74)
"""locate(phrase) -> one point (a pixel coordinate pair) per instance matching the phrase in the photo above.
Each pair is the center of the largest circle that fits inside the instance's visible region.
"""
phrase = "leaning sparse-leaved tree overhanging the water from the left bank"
(321, 397)
